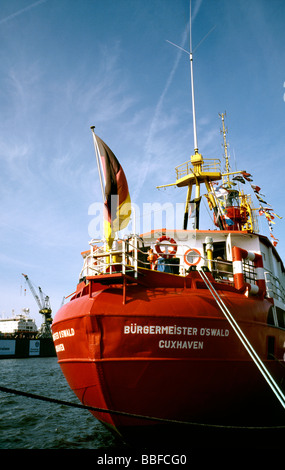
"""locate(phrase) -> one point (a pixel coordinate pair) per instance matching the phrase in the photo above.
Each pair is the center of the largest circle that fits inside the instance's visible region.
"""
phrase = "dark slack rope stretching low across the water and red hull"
(130, 415)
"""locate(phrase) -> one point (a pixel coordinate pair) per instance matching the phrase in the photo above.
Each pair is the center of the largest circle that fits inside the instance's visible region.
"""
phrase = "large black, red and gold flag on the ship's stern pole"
(117, 204)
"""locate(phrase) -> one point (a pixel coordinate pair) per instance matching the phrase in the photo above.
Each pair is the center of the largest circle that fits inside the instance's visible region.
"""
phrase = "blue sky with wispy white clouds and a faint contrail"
(68, 64)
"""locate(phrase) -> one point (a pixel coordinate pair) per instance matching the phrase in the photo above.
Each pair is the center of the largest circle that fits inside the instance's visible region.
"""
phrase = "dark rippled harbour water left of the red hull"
(27, 423)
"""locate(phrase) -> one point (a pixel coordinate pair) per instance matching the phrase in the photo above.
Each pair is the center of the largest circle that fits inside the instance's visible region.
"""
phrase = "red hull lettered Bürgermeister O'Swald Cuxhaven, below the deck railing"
(168, 354)
